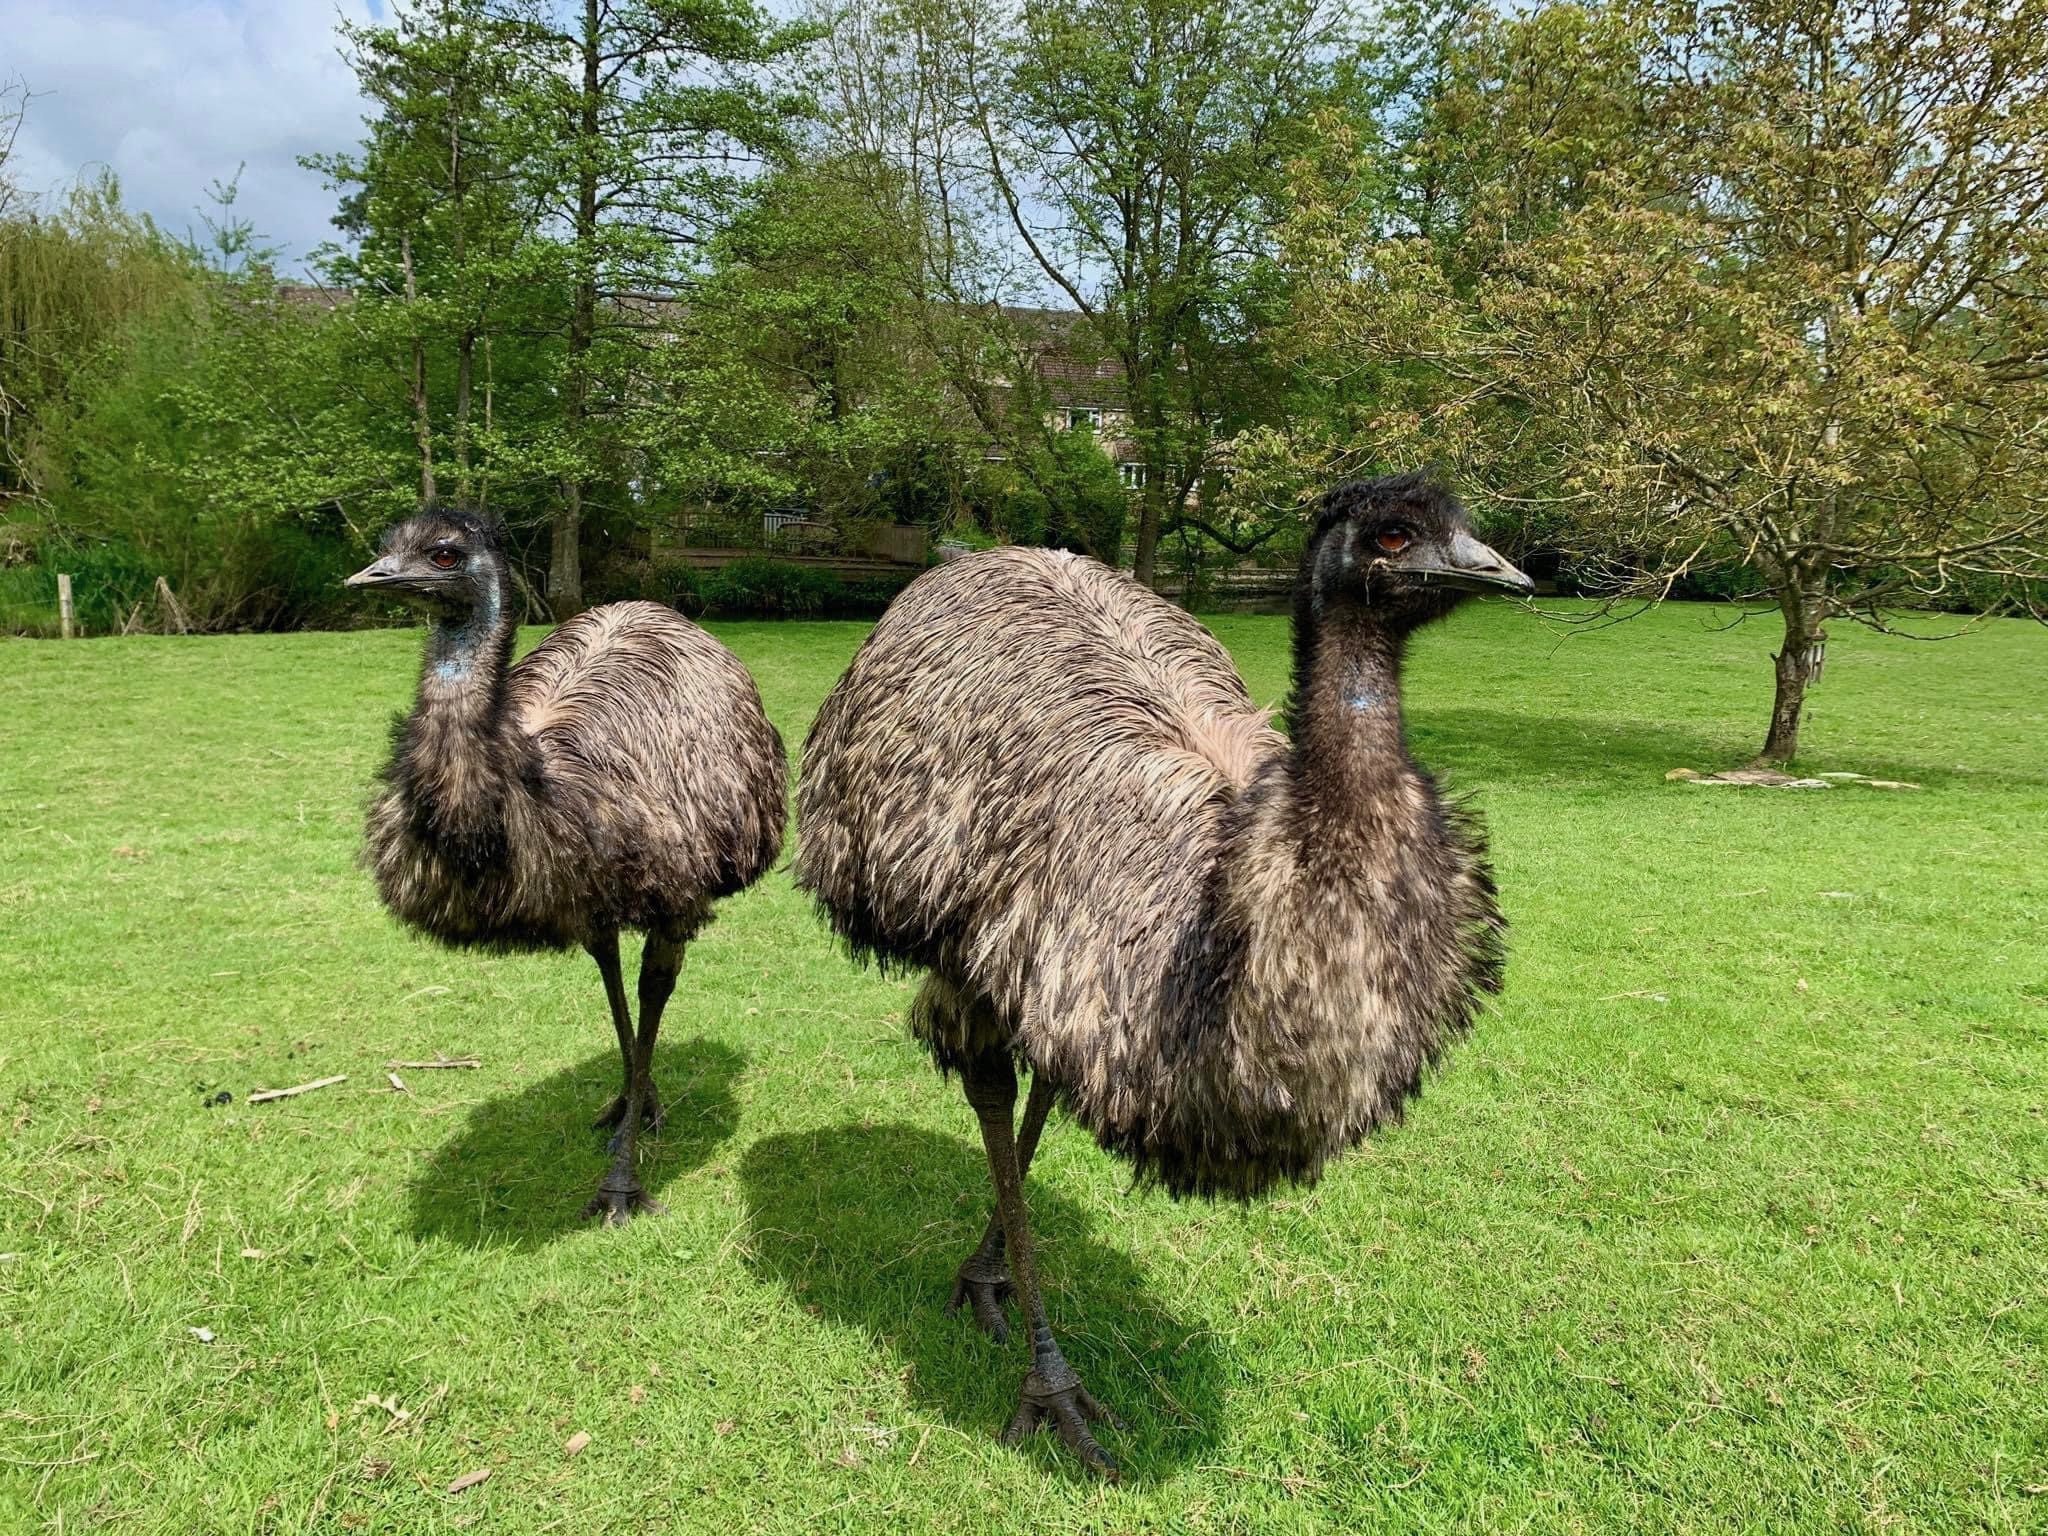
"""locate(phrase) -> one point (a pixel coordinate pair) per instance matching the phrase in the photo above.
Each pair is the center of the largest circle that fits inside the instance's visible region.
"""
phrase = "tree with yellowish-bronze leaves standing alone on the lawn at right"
(1791, 321)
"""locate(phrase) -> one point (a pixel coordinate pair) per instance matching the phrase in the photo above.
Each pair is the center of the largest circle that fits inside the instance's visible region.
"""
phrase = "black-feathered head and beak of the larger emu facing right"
(1400, 550)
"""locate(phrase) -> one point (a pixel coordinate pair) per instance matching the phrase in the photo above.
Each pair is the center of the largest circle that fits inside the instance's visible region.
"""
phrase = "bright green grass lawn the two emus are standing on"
(1734, 1215)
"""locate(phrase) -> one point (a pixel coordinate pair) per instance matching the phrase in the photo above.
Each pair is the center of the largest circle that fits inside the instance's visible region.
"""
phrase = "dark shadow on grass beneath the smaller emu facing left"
(515, 1172)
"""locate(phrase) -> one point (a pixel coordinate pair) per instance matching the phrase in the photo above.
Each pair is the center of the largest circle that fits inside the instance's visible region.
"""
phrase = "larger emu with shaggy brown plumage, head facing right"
(1228, 955)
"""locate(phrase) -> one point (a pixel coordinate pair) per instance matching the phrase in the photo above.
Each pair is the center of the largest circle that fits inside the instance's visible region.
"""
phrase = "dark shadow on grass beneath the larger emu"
(867, 1224)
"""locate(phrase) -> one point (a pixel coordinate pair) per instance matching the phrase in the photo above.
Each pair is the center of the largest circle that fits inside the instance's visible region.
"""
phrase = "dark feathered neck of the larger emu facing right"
(1351, 755)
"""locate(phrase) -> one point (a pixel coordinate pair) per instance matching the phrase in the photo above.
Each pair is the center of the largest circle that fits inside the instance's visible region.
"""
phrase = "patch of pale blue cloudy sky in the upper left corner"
(173, 95)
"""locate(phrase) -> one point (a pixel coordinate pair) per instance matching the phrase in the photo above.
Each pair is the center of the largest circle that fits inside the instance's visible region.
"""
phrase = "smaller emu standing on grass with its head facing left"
(620, 777)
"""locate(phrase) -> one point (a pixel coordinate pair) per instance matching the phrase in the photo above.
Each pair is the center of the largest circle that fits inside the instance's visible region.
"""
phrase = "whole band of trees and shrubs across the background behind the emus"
(1717, 300)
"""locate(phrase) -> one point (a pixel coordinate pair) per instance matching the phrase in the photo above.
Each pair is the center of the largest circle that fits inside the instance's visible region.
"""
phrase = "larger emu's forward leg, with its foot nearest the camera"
(1054, 1390)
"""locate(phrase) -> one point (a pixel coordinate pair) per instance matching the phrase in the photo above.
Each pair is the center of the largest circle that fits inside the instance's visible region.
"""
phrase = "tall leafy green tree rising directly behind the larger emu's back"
(1138, 153)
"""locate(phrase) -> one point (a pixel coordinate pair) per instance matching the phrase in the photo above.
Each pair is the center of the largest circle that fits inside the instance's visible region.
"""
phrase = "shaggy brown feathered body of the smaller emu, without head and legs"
(620, 777)
